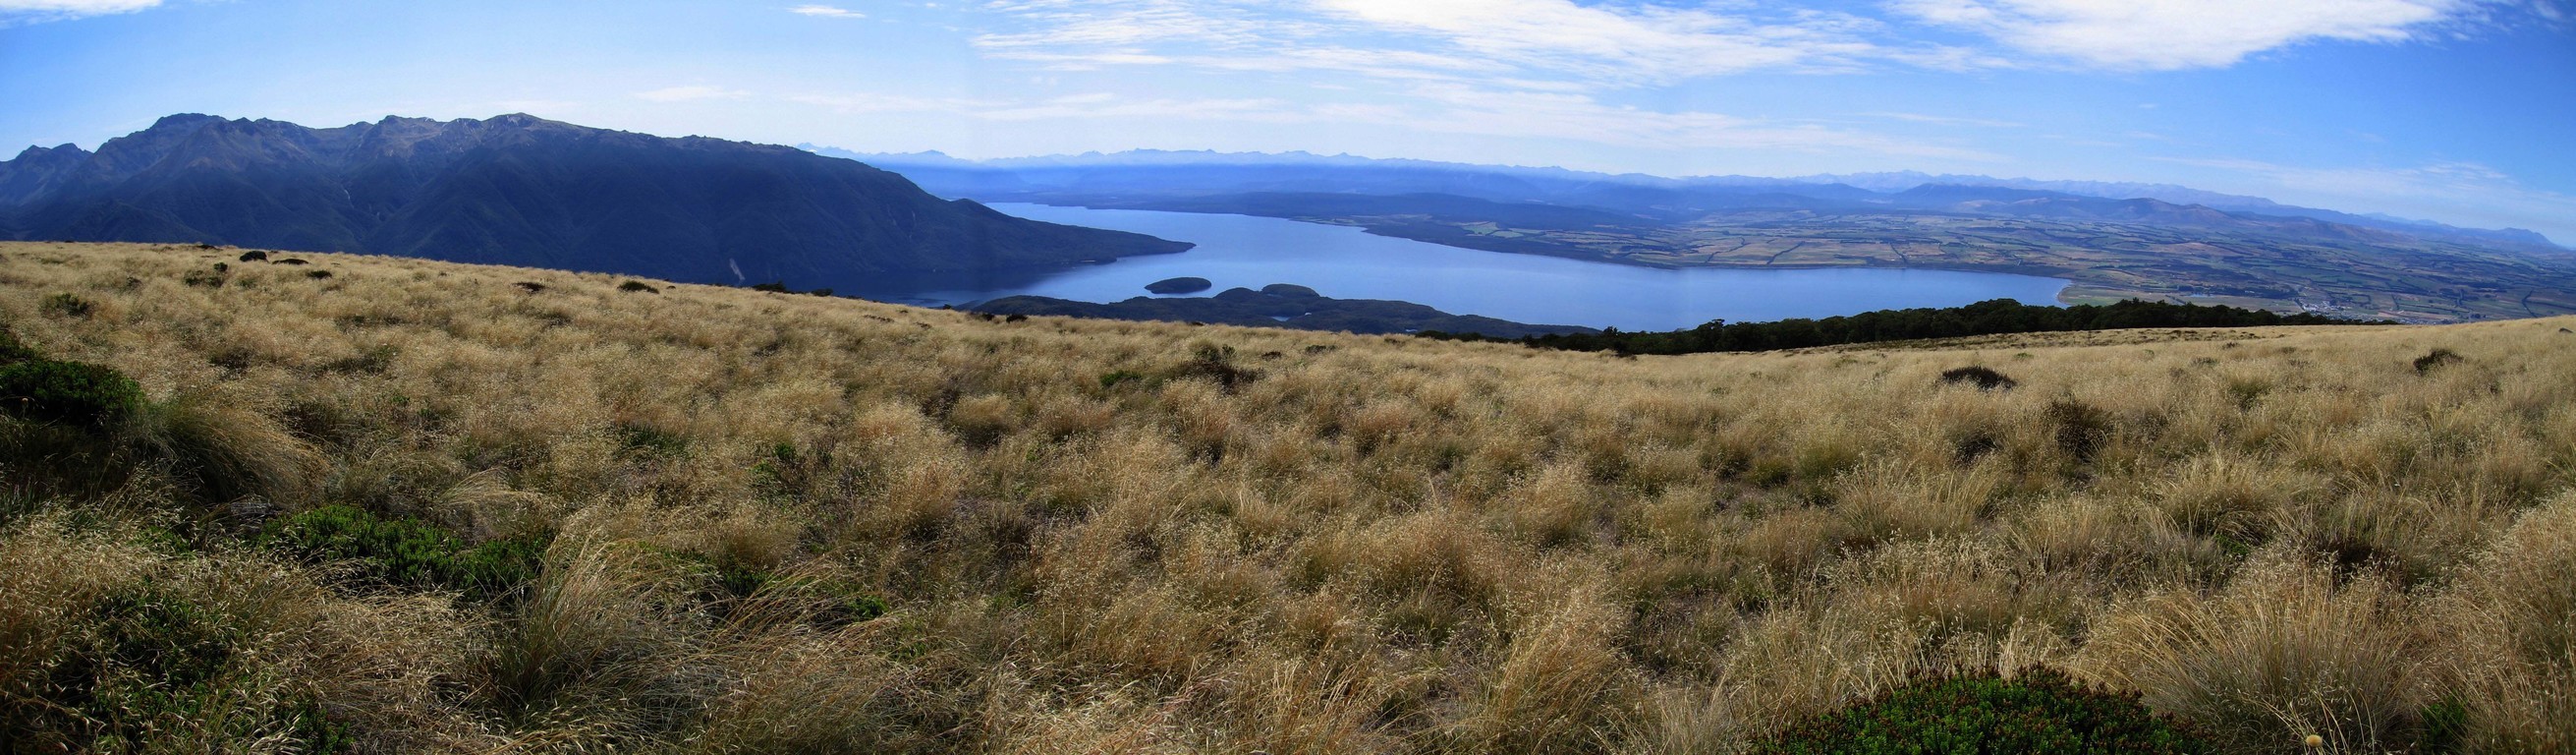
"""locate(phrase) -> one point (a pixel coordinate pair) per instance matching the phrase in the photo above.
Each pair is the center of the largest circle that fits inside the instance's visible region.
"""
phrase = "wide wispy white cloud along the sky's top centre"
(1416, 40)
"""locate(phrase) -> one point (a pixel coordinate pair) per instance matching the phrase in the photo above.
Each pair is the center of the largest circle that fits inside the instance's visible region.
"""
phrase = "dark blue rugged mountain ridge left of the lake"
(524, 192)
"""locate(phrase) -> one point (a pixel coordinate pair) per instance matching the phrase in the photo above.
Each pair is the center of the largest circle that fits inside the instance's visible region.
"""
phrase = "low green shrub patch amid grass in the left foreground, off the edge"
(406, 553)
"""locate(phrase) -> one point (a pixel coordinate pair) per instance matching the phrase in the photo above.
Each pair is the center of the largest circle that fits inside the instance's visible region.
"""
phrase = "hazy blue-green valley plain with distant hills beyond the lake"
(2250, 254)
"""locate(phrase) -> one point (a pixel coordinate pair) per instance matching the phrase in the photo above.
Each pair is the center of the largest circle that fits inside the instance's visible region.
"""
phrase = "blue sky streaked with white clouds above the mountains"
(2443, 110)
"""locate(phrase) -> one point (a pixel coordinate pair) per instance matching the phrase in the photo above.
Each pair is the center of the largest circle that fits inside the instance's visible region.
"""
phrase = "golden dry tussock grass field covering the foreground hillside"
(792, 524)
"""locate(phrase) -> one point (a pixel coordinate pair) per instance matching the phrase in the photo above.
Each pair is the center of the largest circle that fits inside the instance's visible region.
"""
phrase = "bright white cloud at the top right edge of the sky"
(2178, 35)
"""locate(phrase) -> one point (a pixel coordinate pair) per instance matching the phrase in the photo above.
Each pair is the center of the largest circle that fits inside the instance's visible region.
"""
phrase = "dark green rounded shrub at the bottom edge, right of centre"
(1985, 712)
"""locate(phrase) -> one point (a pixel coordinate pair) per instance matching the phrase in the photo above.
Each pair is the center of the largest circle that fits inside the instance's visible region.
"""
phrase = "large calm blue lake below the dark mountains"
(1351, 264)
